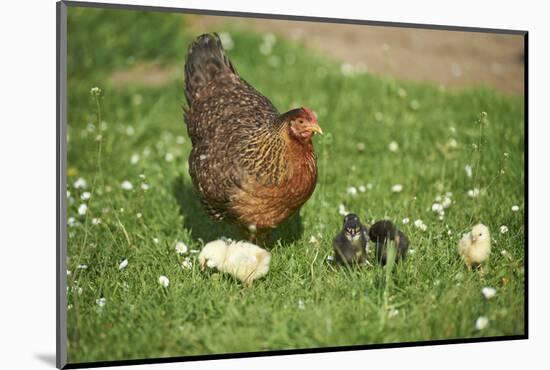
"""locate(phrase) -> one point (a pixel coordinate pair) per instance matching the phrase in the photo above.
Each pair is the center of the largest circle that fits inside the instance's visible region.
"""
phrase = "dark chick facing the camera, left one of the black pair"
(351, 244)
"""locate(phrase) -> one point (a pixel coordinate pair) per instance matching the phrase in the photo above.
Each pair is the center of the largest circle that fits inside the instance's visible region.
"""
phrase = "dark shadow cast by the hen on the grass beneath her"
(201, 226)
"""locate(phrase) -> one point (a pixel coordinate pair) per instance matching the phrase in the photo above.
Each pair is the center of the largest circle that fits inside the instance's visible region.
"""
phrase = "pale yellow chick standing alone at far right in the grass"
(475, 246)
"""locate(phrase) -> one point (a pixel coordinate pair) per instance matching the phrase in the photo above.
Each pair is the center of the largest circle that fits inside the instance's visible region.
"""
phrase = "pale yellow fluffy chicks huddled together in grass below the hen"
(242, 260)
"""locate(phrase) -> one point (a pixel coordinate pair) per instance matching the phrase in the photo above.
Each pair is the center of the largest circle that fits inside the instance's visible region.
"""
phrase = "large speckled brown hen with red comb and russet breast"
(250, 164)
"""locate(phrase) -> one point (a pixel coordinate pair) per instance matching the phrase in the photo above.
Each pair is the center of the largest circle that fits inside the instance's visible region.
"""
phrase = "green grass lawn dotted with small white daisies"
(303, 302)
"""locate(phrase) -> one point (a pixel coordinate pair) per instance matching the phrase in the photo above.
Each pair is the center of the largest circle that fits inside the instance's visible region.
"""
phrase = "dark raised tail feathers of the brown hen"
(205, 60)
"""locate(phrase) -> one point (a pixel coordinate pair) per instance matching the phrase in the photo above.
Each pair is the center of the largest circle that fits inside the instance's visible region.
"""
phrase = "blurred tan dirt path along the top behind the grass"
(451, 58)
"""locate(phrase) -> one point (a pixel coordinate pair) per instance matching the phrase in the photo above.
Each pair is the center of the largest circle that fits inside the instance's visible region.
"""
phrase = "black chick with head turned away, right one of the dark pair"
(381, 233)
